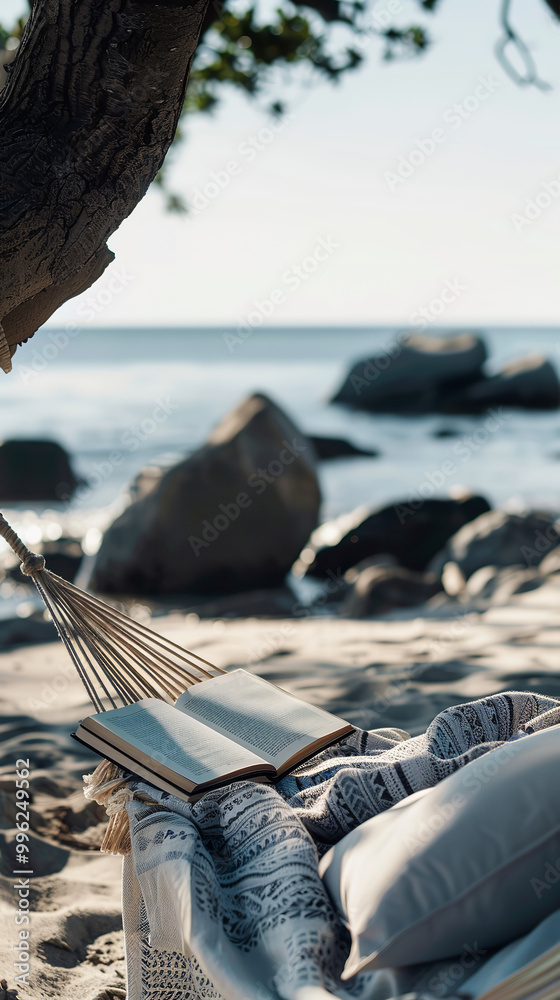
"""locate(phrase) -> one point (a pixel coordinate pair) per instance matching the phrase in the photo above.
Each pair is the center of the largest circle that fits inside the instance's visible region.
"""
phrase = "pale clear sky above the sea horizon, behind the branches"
(319, 227)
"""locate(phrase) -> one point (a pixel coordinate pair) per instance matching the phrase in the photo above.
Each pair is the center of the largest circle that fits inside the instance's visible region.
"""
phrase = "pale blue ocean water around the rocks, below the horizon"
(121, 399)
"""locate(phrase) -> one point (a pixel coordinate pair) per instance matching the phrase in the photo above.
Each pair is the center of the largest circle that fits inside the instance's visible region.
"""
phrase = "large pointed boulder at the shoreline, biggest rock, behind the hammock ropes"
(233, 516)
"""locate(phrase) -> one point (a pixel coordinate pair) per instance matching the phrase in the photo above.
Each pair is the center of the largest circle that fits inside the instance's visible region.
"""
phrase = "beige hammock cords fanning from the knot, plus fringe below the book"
(118, 660)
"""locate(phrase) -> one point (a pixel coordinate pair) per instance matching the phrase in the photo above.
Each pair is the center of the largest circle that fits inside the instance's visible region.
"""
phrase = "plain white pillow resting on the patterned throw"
(474, 860)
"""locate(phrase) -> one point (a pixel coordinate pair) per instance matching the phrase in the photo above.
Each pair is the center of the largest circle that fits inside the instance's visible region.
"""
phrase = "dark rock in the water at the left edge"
(35, 471)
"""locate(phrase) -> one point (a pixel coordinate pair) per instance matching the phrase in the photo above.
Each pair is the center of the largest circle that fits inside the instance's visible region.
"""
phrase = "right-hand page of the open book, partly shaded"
(258, 715)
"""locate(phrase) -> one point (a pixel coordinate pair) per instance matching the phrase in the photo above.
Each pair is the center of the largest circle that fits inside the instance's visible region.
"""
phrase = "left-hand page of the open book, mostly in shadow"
(181, 743)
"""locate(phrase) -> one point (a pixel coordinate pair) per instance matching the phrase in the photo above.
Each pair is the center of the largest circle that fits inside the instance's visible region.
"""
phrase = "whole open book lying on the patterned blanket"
(233, 726)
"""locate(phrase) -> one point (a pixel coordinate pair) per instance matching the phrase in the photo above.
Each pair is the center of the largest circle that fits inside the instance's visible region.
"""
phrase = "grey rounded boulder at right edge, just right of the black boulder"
(500, 539)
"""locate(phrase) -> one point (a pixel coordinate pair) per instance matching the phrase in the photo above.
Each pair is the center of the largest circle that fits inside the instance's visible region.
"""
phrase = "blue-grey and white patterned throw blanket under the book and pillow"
(222, 897)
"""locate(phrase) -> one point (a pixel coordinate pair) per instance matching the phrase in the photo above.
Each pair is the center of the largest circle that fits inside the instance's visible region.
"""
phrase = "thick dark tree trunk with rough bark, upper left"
(87, 115)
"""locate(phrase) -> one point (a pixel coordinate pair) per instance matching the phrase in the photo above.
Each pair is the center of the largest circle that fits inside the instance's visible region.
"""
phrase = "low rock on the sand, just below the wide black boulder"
(380, 589)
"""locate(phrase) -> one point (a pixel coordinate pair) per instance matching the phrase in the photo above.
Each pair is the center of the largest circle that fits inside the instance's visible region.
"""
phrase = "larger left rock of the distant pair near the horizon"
(414, 374)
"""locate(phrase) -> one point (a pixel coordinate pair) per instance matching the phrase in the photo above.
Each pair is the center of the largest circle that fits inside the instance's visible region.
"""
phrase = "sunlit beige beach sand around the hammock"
(398, 670)
